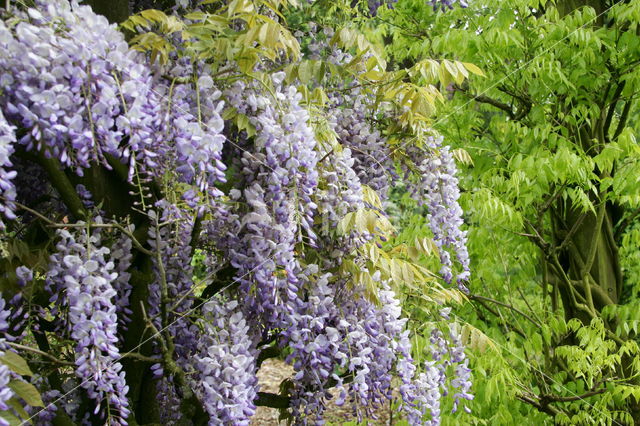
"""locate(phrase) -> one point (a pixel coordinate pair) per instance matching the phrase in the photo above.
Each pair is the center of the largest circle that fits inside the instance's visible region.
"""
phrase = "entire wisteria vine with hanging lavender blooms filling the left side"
(193, 220)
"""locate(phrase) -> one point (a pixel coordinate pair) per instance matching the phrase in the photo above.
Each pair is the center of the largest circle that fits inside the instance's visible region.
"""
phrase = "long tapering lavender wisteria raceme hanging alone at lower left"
(82, 273)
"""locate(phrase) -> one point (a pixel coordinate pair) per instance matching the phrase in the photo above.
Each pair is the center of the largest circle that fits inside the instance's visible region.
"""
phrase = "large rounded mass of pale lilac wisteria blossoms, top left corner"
(68, 95)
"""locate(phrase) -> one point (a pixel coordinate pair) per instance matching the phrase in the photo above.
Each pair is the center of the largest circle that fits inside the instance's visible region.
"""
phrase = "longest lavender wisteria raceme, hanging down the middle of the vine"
(281, 177)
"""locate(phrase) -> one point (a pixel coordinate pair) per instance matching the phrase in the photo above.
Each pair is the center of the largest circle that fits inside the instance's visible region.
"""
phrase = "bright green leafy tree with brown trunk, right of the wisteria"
(552, 196)
